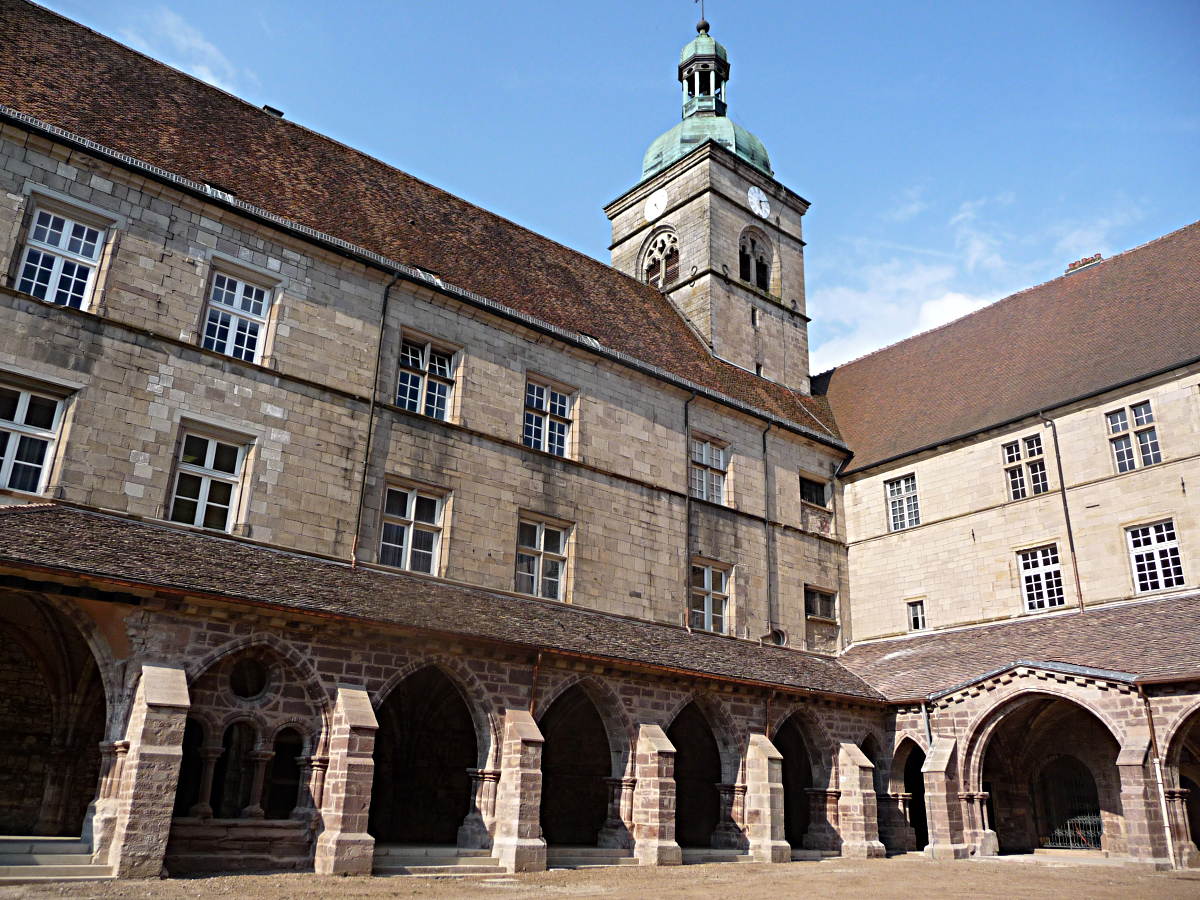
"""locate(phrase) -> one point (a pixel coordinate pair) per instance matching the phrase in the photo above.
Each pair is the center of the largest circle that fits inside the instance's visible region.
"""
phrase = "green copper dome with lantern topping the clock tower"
(704, 74)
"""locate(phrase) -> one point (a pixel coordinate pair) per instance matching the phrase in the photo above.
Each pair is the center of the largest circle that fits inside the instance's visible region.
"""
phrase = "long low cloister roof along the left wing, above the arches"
(103, 547)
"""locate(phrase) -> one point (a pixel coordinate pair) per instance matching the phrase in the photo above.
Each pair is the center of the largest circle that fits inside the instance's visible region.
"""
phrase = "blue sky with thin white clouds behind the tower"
(953, 152)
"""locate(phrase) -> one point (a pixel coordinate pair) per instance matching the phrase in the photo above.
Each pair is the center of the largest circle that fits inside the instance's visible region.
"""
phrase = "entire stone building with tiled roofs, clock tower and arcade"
(347, 527)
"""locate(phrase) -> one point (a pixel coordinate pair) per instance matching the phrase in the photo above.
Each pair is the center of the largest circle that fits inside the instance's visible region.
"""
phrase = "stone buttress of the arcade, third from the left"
(519, 844)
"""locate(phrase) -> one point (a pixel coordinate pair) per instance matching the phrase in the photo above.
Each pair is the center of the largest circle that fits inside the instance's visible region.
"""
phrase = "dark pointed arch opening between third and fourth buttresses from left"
(575, 763)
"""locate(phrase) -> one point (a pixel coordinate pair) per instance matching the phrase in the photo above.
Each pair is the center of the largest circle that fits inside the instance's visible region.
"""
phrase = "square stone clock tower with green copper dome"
(711, 227)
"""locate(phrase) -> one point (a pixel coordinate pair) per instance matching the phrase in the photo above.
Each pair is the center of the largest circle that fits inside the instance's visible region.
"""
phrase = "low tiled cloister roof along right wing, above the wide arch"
(1151, 639)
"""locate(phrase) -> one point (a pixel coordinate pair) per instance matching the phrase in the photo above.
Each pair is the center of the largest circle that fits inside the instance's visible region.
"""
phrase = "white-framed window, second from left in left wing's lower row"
(208, 482)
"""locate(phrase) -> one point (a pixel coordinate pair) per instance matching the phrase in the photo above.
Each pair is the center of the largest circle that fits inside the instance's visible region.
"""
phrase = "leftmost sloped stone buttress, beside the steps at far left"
(146, 797)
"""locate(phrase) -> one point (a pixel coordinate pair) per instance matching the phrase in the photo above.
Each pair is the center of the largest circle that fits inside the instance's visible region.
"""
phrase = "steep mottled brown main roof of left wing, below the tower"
(69, 76)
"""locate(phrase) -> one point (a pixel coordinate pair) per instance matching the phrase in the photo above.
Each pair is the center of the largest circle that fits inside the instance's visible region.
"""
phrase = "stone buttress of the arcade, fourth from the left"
(655, 799)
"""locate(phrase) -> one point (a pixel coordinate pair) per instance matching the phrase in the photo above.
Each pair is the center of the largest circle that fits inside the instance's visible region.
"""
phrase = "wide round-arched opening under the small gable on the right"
(1041, 797)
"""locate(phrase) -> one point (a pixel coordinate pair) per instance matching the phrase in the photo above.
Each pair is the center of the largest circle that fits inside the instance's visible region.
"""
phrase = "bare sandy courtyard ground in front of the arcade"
(878, 879)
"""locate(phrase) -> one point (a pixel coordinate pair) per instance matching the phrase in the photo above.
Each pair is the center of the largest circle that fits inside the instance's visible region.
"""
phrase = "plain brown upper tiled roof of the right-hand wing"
(1114, 322)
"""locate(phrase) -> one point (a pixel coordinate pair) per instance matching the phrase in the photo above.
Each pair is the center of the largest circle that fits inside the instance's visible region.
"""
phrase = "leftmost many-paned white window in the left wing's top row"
(61, 260)
